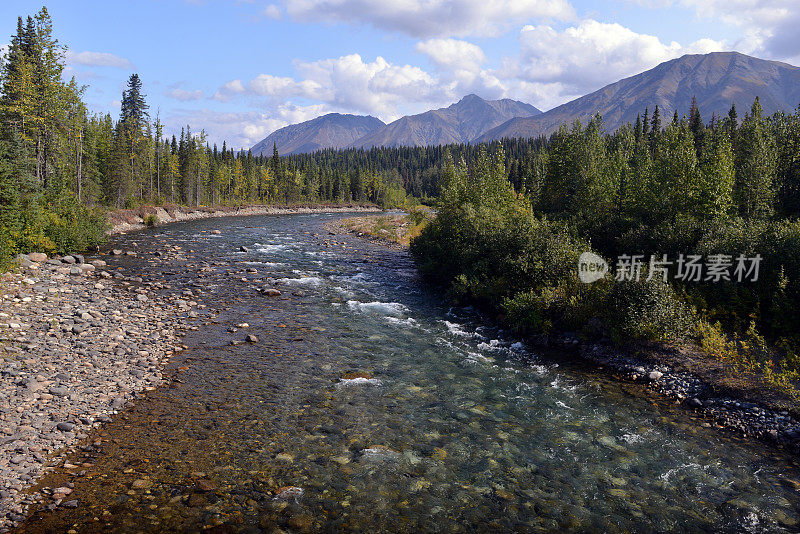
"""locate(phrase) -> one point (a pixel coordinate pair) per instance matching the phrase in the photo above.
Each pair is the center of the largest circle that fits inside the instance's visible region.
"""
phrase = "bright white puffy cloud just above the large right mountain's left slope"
(585, 57)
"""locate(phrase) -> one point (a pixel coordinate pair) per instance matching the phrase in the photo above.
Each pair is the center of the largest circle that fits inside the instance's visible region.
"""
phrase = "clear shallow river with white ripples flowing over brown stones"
(392, 413)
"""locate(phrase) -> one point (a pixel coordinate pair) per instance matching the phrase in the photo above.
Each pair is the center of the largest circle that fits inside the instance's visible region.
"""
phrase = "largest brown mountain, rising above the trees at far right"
(716, 79)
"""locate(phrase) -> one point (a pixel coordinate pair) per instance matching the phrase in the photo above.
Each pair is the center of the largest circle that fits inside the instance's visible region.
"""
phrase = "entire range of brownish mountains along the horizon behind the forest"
(716, 80)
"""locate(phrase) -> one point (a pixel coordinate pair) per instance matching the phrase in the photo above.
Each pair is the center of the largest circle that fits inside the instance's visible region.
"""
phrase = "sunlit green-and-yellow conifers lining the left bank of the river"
(61, 165)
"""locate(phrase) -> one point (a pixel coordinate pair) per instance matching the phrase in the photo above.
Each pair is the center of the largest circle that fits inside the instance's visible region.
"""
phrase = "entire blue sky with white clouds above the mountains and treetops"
(241, 69)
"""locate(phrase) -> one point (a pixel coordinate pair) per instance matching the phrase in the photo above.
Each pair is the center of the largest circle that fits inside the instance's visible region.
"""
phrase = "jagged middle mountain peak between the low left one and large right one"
(461, 122)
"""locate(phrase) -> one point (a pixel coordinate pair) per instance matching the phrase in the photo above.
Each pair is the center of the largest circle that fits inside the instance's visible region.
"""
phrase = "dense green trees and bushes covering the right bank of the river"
(510, 230)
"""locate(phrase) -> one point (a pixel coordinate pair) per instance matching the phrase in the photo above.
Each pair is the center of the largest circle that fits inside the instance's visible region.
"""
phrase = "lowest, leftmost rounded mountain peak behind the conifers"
(333, 130)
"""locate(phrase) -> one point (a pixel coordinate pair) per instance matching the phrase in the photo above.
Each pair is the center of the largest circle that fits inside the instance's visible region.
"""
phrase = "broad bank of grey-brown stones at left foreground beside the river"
(75, 348)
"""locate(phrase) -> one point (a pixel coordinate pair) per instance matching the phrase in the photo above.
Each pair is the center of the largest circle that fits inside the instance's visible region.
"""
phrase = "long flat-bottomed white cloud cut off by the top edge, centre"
(431, 18)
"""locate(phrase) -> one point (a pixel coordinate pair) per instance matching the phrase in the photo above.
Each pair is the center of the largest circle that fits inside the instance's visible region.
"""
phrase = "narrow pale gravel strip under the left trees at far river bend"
(128, 220)
